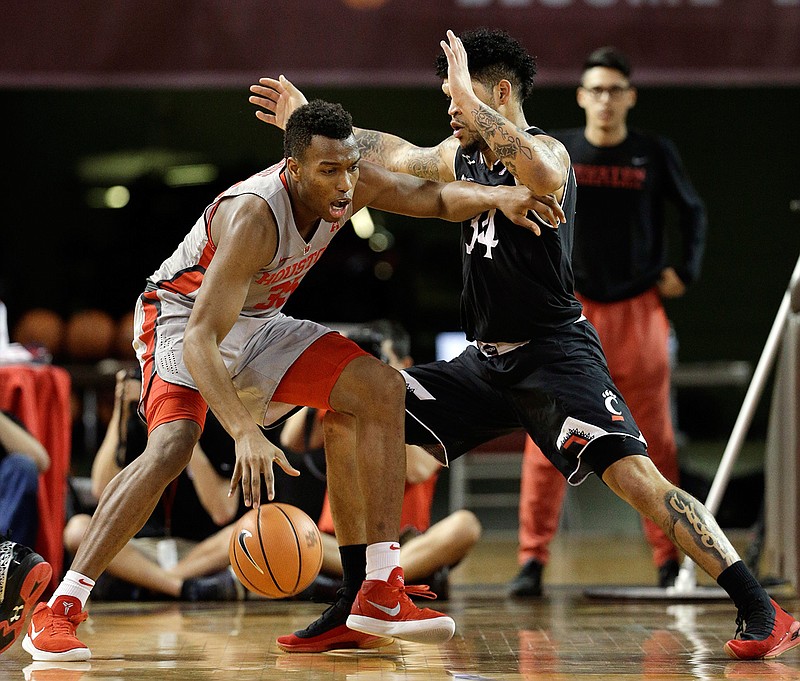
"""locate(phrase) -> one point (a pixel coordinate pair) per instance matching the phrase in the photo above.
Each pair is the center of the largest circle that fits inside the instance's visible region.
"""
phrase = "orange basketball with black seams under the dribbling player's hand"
(276, 550)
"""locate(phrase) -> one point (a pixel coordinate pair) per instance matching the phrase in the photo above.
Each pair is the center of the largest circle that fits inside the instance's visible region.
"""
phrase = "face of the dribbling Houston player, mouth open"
(325, 177)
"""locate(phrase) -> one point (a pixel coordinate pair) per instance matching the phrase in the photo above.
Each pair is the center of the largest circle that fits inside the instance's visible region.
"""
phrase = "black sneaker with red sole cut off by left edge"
(24, 575)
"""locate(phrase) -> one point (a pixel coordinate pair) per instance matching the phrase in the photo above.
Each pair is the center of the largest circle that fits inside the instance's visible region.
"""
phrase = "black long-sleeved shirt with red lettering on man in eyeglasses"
(620, 244)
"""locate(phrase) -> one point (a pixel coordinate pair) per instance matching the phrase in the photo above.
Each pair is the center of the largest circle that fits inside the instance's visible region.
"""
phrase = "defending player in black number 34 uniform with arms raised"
(543, 371)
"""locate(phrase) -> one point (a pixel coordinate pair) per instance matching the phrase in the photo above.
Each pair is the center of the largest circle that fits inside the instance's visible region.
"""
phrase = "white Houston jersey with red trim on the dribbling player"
(272, 285)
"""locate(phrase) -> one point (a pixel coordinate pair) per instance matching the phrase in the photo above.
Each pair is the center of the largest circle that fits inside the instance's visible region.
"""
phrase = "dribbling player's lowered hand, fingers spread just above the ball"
(254, 457)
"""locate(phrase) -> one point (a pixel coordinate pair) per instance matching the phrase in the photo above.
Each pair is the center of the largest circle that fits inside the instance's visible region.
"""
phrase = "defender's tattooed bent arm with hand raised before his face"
(538, 161)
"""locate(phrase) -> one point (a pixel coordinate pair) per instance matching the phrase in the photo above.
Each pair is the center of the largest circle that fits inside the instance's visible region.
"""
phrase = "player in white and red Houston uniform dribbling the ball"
(210, 332)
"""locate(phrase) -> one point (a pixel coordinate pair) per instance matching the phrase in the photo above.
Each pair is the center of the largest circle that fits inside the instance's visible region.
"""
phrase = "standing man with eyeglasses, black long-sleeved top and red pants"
(625, 178)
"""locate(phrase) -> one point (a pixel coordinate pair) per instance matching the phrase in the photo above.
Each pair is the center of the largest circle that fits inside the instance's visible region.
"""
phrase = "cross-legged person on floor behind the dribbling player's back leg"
(182, 551)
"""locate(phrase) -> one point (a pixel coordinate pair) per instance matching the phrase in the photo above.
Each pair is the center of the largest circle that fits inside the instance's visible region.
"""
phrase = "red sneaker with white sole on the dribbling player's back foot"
(51, 633)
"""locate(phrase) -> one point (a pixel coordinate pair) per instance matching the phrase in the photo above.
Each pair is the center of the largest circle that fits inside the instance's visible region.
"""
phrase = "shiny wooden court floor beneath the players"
(566, 635)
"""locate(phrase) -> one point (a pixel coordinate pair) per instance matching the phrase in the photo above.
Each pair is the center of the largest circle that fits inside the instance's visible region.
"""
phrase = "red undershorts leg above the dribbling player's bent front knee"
(310, 380)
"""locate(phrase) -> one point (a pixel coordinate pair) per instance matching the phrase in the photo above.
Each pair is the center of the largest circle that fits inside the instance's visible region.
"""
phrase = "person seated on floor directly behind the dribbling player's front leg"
(428, 551)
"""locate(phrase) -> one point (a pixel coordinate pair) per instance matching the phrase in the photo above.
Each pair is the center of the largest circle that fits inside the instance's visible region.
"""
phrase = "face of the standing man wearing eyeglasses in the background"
(606, 95)
